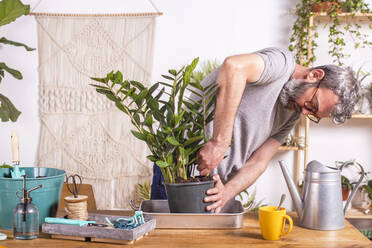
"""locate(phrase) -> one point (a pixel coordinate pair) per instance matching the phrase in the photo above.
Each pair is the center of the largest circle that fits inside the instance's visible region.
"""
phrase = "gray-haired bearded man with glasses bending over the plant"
(260, 98)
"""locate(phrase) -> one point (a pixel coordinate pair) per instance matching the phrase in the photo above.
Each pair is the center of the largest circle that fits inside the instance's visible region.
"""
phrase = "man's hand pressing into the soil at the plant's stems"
(210, 156)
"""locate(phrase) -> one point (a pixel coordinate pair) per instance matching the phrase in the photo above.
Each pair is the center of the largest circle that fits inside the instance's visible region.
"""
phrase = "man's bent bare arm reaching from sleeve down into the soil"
(233, 76)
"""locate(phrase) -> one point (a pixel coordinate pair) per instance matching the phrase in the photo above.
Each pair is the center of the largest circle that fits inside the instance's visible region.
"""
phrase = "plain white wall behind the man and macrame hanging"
(208, 29)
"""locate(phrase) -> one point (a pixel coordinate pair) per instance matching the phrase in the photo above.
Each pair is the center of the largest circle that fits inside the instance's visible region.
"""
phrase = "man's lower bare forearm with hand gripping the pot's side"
(246, 176)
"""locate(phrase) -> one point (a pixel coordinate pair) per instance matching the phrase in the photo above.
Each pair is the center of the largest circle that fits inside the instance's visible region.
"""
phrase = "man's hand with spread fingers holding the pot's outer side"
(218, 195)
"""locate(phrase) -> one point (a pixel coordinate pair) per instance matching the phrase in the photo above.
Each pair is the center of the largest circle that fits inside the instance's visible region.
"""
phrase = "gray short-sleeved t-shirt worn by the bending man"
(260, 116)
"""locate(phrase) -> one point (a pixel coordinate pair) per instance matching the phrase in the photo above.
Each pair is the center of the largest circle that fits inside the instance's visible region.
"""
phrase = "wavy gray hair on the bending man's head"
(342, 82)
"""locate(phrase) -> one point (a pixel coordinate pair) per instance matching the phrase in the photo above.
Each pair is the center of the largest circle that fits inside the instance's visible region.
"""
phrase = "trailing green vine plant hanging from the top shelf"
(299, 40)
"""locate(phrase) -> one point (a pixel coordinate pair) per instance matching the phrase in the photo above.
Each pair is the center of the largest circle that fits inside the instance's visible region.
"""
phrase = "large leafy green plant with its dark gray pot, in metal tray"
(172, 122)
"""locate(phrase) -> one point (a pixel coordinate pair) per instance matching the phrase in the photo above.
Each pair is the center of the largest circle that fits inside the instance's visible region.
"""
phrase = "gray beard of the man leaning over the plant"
(290, 92)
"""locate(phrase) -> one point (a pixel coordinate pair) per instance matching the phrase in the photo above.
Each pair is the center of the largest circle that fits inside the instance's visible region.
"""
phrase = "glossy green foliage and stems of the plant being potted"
(162, 121)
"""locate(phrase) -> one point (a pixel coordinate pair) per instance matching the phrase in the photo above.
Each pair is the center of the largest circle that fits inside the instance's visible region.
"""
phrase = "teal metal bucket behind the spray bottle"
(46, 198)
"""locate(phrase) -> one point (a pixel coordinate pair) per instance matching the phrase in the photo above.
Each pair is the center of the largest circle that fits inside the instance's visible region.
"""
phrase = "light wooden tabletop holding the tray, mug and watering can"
(248, 236)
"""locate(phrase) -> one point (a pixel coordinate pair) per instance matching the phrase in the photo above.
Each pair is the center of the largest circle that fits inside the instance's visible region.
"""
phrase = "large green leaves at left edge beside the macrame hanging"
(10, 10)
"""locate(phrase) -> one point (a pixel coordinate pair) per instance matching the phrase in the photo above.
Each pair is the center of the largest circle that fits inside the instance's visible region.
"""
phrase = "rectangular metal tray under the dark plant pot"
(231, 216)
